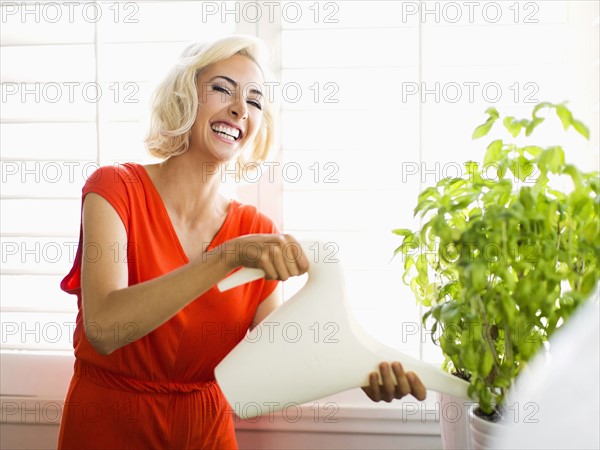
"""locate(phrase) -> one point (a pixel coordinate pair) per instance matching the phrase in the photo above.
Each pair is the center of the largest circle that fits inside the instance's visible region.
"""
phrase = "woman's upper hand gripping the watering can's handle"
(280, 256)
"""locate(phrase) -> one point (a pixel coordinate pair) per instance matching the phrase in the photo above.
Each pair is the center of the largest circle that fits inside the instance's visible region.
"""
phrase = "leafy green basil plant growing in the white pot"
(502, 261)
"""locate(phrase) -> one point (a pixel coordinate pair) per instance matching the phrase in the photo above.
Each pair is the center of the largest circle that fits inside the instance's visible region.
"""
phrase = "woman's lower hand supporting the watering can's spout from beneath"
(393, 385)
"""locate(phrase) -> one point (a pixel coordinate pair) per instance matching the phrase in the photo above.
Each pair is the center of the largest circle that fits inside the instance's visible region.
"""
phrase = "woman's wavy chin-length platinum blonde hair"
(175, 101)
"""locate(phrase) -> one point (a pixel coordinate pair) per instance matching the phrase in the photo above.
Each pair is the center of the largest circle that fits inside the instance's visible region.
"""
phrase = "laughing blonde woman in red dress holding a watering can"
(154, 241)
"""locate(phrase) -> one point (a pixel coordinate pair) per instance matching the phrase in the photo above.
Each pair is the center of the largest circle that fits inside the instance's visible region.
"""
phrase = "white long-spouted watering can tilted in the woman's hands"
(310, 347)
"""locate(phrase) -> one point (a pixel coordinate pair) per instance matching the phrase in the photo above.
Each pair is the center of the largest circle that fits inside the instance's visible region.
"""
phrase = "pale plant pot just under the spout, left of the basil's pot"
(454, 414)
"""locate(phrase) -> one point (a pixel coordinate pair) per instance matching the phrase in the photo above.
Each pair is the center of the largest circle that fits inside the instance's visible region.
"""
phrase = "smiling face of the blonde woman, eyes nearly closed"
(229, 108)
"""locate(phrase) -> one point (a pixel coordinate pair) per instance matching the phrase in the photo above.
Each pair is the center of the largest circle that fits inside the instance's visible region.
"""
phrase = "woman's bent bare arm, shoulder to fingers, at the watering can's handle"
(137, 310)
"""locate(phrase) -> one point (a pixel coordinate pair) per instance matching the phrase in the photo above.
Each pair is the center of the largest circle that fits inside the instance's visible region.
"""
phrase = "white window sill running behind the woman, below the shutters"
(34, 384)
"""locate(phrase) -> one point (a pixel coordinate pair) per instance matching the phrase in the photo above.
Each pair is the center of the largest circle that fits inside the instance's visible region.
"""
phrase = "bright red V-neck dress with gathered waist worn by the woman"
(159, 391)
